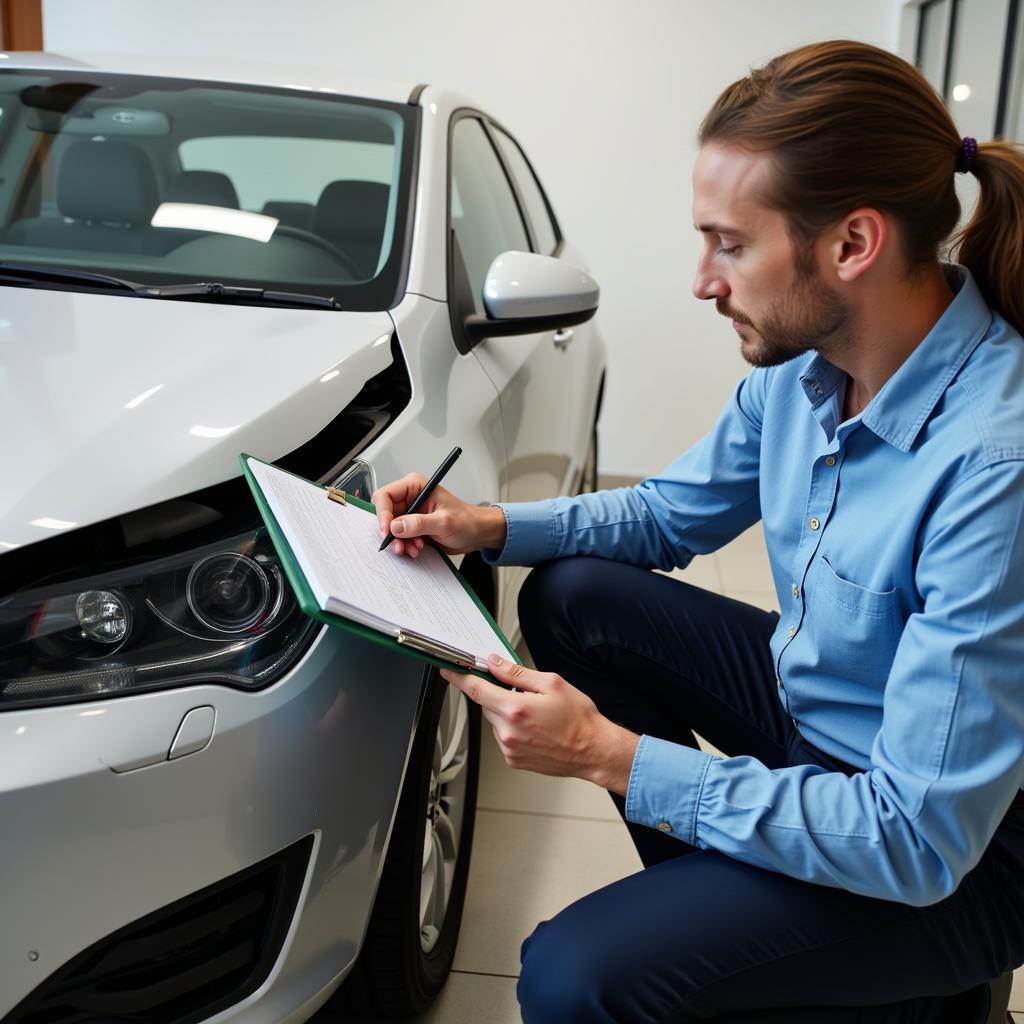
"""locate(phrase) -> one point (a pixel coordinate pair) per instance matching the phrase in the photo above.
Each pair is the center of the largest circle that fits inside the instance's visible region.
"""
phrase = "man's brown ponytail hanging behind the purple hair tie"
(992, 246)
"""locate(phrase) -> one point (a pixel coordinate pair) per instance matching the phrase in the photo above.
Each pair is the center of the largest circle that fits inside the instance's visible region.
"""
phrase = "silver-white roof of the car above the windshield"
(218, 70)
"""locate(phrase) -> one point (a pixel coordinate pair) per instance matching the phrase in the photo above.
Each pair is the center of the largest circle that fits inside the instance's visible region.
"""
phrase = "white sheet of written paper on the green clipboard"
(336, 546)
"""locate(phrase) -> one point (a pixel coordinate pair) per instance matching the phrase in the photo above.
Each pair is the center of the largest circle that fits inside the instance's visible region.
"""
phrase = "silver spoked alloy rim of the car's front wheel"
(446, 815)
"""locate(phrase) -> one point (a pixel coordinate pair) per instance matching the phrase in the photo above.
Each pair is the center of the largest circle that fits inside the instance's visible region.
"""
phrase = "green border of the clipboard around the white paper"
(308, 603)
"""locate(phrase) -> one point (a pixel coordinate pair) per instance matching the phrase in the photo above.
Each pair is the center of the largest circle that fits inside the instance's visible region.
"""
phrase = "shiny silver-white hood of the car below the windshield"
(109, 404)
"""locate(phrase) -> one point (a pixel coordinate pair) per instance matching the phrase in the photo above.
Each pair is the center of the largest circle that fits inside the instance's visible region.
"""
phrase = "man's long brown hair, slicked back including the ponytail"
(850, 125)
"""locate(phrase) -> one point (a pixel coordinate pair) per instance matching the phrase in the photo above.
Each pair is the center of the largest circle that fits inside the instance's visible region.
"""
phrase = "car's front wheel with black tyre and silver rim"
(414, 928)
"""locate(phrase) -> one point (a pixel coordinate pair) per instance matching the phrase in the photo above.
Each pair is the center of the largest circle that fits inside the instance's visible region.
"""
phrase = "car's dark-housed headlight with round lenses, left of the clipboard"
(223, 614)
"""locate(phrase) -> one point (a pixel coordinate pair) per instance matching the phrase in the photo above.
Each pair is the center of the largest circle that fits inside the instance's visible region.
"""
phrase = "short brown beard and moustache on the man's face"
(808, 317)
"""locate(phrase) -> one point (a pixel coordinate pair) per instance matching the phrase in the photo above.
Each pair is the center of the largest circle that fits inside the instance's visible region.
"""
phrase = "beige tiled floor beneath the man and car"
(541, 843)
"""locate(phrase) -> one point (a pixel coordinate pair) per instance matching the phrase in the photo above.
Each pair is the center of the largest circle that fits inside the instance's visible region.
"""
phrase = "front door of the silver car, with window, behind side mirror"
(534, 373)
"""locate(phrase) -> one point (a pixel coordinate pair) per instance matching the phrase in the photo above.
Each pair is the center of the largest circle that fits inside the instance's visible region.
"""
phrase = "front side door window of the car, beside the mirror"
(486, 218)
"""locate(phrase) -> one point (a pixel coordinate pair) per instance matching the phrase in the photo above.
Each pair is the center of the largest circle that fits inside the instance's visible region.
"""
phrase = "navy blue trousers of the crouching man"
(699, 936)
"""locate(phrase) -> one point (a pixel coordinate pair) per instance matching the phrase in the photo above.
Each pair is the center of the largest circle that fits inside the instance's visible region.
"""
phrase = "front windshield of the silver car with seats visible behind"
(166, 182)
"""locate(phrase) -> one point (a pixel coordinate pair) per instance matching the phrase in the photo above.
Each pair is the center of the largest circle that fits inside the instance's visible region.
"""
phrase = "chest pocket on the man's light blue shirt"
(857, 630)
